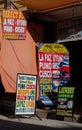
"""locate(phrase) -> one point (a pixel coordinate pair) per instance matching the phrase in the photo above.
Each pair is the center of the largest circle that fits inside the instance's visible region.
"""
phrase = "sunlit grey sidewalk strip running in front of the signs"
(44, 122)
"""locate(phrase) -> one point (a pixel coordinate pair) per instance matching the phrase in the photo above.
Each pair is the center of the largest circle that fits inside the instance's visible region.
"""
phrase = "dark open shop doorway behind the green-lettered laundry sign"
(75, 52)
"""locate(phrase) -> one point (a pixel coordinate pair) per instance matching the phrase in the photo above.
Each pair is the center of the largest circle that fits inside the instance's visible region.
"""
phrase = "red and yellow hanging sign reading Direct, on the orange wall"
(14, 24)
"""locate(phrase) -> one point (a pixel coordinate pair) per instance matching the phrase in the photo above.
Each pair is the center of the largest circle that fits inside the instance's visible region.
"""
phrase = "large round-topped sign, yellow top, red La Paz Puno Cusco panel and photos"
(53, 70)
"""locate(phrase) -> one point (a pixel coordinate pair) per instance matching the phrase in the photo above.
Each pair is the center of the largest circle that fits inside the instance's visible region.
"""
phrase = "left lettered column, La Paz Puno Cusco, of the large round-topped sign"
(45, 77)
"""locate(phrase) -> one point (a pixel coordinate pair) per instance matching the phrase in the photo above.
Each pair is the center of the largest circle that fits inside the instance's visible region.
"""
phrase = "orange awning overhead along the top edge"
(43, 5)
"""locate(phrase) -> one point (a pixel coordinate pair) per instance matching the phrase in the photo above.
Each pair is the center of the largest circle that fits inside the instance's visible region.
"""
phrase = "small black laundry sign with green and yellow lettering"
(65, 101)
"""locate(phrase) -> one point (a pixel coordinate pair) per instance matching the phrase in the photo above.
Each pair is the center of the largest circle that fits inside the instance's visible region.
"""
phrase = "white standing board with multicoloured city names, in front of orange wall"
(26, 94)
